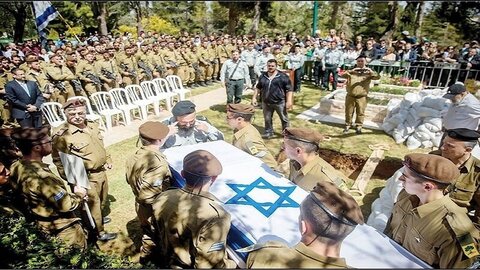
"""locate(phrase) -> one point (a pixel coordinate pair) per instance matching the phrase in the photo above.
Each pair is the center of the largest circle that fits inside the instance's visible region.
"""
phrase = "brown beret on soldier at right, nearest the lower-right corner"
(432, 167)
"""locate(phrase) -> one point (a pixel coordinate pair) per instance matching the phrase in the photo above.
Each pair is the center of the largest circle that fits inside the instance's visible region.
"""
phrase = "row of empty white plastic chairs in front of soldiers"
(124, 102)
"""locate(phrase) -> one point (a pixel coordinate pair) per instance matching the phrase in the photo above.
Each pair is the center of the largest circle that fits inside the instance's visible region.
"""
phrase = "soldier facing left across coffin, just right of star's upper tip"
(307, 168)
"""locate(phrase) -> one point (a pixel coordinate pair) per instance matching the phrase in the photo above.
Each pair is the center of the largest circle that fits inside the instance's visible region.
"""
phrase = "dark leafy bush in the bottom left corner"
(23, 245)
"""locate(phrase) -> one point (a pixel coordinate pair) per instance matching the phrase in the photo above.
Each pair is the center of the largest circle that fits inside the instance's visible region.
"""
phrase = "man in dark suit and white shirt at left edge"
(25, 99)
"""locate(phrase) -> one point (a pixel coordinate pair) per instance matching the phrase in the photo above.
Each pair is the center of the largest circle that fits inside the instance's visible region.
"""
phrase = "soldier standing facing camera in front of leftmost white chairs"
(81, 137)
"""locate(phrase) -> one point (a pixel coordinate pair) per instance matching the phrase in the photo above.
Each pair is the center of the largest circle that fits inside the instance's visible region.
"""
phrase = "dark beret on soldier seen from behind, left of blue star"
(202, 163)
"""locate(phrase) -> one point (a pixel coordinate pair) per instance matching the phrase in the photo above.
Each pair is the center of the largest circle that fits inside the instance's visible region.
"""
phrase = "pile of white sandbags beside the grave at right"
(417, 119)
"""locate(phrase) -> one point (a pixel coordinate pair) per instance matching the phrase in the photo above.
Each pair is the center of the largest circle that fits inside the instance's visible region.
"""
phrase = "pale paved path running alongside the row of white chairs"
(203, 101)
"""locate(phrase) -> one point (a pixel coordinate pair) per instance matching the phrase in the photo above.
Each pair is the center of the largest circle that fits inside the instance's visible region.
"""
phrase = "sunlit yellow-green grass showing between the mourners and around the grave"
(122, 209)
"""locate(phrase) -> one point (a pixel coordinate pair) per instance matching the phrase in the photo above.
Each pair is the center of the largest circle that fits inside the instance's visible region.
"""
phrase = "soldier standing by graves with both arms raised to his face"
(358, 84)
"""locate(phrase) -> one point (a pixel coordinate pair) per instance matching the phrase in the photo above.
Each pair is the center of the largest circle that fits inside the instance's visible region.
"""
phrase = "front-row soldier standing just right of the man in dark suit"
(60, 77)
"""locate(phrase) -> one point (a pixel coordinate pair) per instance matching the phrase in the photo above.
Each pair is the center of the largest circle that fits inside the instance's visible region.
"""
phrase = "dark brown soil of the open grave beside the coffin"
(352, 164)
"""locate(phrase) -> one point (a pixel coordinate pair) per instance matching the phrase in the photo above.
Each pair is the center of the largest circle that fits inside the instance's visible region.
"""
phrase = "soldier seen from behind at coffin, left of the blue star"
(197, 239)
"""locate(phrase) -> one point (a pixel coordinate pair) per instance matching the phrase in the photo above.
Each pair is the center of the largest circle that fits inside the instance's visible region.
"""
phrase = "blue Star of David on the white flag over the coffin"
(267, 208)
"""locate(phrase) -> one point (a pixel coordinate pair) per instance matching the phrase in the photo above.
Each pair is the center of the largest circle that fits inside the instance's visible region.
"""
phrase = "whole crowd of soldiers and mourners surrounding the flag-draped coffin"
(427, 220)
